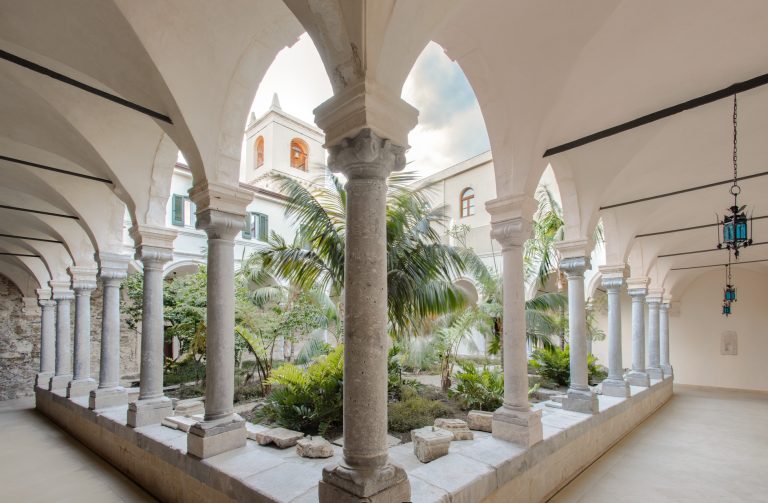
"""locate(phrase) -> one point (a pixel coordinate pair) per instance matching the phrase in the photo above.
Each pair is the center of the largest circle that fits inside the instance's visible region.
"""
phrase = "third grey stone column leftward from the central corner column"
(113, 270)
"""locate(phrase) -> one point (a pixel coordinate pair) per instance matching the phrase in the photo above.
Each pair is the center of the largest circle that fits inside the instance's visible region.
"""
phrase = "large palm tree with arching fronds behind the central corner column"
(420, 267)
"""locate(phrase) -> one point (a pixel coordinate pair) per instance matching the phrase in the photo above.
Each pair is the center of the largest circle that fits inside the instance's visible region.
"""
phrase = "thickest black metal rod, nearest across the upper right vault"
(726, 92)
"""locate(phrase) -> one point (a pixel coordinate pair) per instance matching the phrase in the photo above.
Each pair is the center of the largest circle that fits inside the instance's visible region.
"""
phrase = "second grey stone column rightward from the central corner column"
(574, 261)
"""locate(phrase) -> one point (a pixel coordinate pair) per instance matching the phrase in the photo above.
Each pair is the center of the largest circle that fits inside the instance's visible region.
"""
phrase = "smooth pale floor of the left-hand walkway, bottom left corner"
(41, 463)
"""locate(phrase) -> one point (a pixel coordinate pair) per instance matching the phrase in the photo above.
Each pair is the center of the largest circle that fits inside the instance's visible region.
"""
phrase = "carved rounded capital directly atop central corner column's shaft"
(366, 155)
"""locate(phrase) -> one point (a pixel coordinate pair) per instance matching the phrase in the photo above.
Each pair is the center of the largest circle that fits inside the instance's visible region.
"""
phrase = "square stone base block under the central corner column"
(341, 484)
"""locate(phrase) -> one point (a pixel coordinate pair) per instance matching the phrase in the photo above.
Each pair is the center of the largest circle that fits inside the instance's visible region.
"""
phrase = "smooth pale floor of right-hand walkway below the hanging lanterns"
(702, 446)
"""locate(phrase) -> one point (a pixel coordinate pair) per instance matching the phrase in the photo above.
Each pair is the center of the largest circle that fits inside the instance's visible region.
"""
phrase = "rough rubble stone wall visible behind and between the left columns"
(20, 341)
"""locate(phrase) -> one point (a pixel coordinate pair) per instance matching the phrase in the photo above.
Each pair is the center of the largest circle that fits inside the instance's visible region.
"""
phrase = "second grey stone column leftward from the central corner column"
(152, 406)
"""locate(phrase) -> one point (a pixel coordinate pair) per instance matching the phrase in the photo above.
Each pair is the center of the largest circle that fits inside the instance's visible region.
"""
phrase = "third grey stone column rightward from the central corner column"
(614, 385)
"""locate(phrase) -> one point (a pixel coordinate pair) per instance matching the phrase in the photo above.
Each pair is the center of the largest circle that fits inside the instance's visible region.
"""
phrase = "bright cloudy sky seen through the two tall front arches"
(450, 129)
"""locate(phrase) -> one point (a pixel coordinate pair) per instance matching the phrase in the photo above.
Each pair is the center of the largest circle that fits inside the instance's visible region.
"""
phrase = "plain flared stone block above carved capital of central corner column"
(365, 105)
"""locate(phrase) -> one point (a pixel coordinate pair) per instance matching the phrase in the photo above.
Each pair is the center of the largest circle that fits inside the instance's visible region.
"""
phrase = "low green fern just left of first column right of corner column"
(480, 390)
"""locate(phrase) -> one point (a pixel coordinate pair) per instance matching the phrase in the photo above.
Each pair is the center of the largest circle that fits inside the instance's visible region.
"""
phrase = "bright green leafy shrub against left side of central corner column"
(308, 400)
